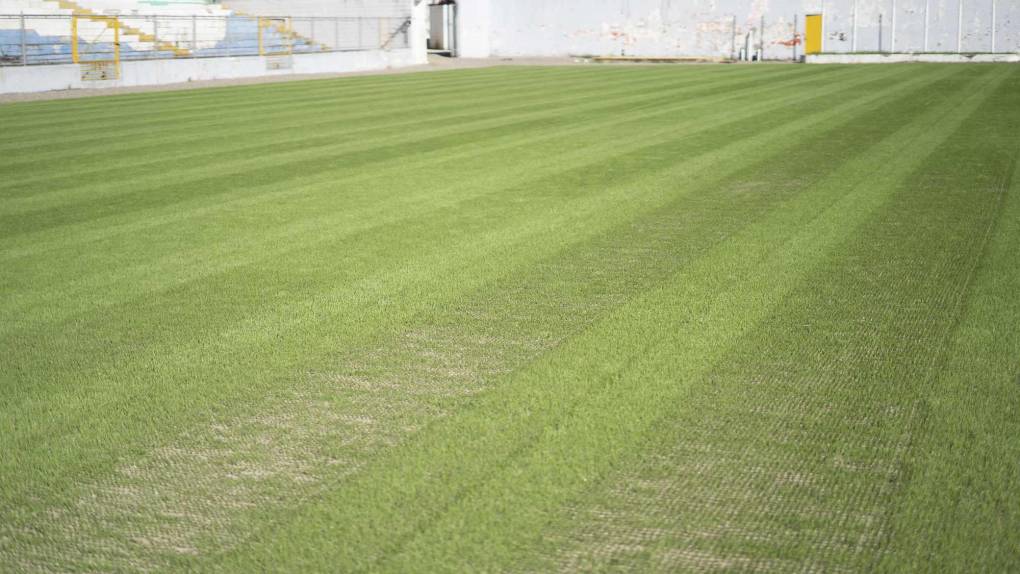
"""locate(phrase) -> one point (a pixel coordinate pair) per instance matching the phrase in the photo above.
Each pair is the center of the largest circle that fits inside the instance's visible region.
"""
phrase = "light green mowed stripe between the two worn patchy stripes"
(509, 423)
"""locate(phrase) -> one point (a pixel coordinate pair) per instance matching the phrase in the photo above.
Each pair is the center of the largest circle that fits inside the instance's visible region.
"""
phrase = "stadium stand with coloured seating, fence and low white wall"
(120, 43)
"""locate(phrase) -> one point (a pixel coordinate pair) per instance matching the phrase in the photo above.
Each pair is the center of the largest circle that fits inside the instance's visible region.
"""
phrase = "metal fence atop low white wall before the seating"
(32, 40)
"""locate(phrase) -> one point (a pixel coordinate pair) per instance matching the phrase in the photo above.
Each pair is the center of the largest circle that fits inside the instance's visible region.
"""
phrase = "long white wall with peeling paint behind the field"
(719, 28)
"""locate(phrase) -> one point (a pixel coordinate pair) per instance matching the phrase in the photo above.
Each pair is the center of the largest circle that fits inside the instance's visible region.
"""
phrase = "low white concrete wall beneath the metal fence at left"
(46, 78)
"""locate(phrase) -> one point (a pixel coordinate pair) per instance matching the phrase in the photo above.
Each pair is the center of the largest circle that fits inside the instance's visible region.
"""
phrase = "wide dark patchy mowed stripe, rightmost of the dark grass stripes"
(798, 435)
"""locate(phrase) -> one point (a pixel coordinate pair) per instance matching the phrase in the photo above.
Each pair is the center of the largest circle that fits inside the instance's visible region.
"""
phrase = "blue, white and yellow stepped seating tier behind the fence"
(41, 32)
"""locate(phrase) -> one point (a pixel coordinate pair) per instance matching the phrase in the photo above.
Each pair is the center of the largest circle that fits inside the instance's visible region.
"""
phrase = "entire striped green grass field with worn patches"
(638, 319)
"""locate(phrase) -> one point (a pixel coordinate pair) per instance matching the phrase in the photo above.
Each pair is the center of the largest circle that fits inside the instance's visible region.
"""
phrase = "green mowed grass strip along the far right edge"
(957, 508)
